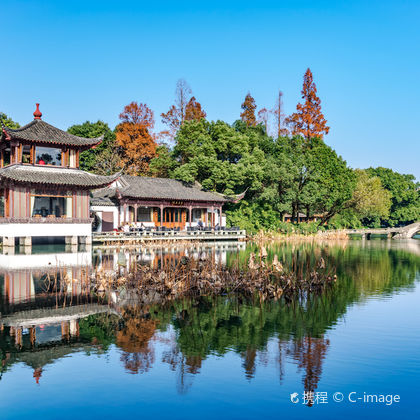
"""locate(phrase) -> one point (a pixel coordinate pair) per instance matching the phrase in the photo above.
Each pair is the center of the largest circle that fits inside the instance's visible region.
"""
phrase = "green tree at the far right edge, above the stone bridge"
(405, 196)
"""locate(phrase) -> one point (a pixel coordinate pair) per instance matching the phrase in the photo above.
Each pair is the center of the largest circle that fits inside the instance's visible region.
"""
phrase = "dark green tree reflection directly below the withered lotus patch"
(217, 326)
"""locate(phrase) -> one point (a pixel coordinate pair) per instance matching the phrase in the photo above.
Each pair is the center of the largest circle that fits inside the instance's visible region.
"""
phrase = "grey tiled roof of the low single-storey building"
(141, 187)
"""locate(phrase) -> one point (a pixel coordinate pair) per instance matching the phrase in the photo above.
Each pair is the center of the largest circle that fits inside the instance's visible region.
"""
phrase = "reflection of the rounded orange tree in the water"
(138, 355)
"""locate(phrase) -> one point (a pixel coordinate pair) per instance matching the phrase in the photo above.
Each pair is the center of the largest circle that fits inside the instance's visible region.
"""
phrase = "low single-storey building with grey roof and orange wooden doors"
(155, 202)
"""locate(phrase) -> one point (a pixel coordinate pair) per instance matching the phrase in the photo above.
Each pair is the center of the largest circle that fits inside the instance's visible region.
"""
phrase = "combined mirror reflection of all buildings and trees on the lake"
(48, 311)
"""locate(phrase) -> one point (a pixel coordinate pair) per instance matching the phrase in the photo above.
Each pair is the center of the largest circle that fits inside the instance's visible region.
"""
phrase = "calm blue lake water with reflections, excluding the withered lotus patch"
(353, 351)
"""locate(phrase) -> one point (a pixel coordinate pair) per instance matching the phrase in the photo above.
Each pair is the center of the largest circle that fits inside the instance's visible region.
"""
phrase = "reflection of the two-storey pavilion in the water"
(43, 298)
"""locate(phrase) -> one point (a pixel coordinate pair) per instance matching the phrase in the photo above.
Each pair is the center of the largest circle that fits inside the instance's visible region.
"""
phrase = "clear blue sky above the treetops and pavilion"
(85, 60)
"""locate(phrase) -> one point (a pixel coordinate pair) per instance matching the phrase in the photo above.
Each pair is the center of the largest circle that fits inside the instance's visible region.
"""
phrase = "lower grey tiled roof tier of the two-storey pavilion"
(50, 175)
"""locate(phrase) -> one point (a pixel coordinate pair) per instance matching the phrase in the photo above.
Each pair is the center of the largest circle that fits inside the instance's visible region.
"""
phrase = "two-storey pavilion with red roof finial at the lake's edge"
(43, 193)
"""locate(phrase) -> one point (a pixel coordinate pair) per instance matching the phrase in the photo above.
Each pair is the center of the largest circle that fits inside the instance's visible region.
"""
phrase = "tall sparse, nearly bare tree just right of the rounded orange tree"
(174, 118)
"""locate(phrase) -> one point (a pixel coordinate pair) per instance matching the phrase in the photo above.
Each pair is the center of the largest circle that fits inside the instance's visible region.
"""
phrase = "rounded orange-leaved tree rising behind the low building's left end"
(135, 138)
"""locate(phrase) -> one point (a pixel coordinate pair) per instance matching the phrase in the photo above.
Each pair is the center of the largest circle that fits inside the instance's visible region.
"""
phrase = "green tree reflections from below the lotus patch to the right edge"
(208, 326)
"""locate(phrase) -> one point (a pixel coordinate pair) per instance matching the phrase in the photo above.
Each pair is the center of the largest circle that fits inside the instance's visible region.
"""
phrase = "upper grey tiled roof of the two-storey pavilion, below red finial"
(39, 131)
